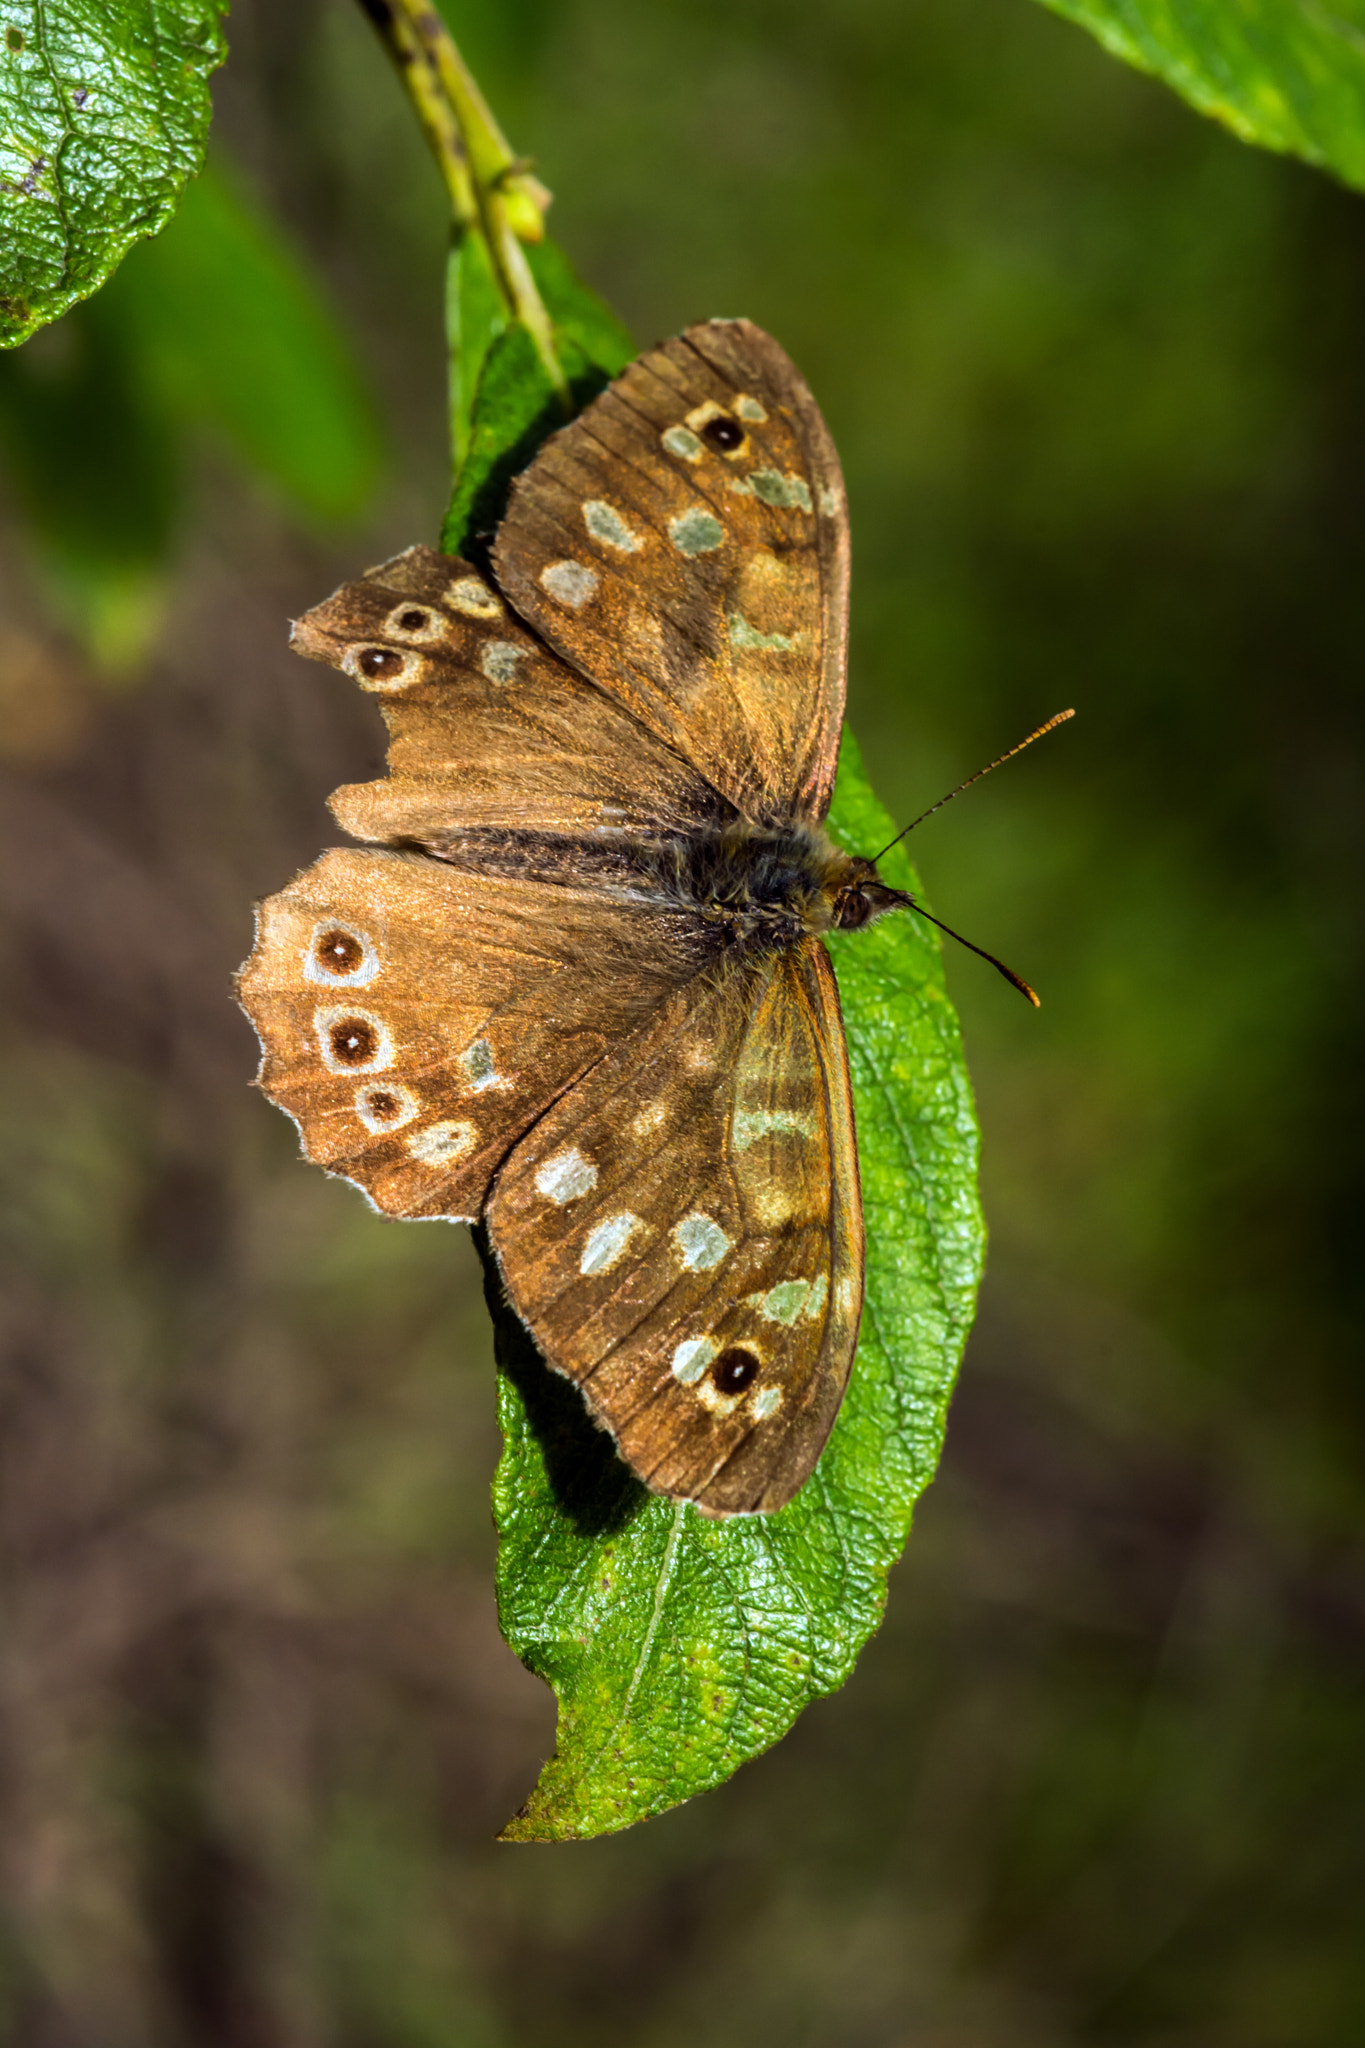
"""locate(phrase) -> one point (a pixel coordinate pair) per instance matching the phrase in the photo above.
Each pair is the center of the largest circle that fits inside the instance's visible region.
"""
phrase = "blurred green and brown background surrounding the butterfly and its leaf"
(1098, 376)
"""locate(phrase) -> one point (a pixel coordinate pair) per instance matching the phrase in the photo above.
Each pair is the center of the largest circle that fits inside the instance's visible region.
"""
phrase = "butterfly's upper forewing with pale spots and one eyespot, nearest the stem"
(685, 544)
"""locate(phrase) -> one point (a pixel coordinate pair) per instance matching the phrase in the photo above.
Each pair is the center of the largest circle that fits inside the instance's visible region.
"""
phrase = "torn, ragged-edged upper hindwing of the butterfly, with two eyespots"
(488, 730)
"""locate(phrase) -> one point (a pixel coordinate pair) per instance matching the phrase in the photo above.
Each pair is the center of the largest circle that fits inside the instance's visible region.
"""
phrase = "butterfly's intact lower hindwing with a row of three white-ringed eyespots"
(416, 1017)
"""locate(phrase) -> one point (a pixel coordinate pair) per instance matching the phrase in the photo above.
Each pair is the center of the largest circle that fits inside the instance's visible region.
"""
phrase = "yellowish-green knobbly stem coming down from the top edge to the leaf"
(490, 191)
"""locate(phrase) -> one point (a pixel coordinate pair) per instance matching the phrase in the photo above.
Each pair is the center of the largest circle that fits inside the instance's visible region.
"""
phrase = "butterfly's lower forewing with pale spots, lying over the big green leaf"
(682, 1234)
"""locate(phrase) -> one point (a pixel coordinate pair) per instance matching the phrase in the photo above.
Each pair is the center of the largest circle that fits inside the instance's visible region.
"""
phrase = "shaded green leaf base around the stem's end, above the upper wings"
(502, 402)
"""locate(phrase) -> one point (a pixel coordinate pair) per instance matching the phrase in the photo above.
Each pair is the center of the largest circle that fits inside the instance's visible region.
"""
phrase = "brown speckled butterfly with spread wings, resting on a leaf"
(574, 982)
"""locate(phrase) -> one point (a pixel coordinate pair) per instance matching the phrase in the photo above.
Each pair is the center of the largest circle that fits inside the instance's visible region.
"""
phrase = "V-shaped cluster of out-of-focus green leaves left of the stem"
(214, 327)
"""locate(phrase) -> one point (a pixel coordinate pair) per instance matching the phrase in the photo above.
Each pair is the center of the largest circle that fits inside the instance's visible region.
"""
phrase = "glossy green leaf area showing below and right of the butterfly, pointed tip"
(682, 1646)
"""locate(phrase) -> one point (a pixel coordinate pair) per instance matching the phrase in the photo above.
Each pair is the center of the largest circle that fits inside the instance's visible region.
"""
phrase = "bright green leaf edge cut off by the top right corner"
(1288, 75)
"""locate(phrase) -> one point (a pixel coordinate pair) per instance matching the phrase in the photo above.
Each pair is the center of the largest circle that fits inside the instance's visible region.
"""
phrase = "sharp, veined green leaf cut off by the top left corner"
(103, 118)
